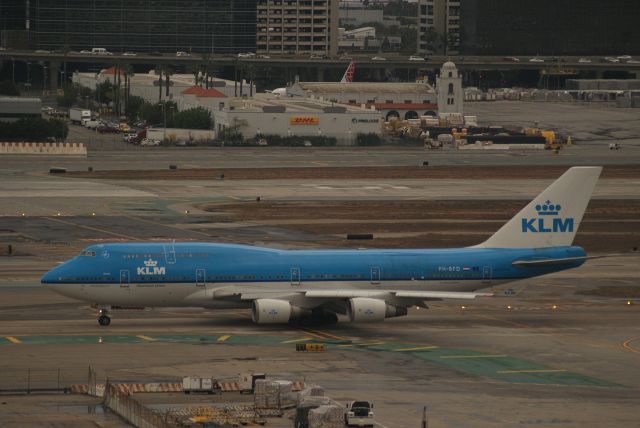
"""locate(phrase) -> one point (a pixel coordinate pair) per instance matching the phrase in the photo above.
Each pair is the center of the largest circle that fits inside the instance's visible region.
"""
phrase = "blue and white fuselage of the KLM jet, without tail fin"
(192, 274)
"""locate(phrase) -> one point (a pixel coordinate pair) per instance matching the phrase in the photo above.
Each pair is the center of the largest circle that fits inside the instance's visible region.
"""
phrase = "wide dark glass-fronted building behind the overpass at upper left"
(202, 26)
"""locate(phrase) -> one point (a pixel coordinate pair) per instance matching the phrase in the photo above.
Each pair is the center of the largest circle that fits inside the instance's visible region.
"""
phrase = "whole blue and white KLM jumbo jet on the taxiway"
(367, 285)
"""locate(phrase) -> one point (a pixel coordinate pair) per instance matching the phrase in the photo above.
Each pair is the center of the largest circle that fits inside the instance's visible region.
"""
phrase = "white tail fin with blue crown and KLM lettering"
(553, 217)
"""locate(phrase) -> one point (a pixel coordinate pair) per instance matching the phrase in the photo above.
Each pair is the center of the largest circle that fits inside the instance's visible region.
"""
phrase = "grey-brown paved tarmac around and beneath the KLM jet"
(548, 355)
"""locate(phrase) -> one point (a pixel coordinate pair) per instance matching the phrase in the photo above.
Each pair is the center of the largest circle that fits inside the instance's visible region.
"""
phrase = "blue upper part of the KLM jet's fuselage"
(205, 262)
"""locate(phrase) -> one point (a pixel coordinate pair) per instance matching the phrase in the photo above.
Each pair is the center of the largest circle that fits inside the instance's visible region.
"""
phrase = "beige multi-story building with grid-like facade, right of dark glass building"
(297, 27)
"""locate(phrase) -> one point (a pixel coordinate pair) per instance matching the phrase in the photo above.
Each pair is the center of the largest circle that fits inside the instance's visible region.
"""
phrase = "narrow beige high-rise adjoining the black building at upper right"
(439, 26)
